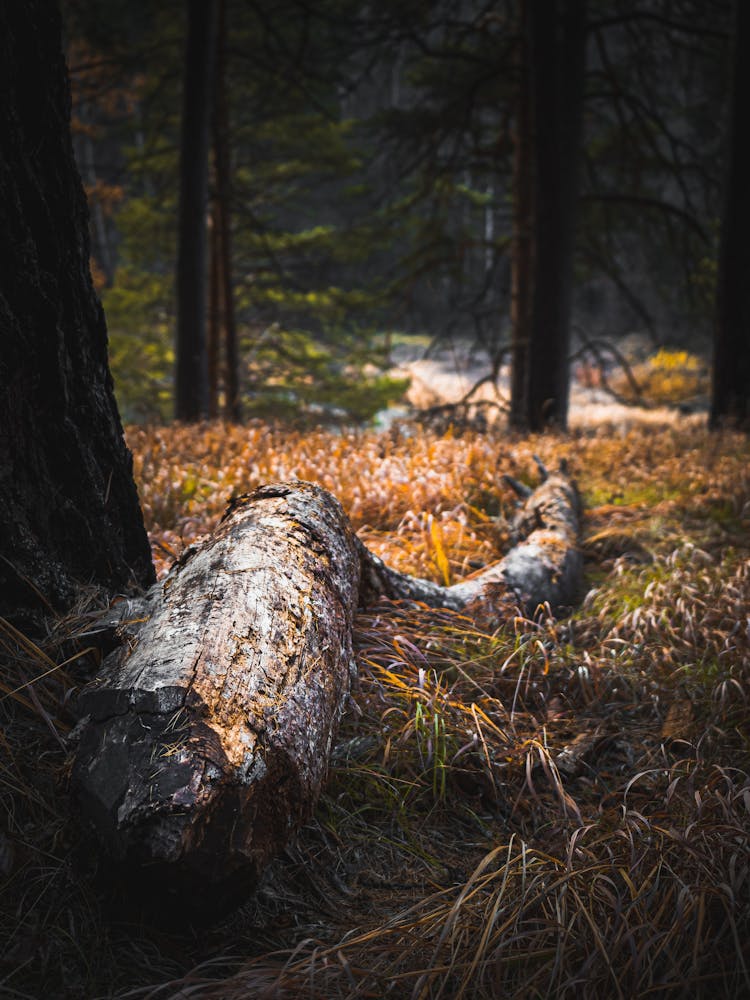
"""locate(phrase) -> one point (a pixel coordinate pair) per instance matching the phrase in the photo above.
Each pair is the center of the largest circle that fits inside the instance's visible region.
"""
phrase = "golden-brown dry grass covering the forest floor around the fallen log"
(551, 809)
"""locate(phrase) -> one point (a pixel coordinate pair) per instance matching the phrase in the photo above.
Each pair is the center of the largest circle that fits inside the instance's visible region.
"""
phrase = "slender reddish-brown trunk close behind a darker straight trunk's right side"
(223, 202)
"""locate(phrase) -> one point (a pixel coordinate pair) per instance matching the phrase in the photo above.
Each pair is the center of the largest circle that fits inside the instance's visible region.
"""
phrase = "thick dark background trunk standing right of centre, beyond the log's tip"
(556, 38)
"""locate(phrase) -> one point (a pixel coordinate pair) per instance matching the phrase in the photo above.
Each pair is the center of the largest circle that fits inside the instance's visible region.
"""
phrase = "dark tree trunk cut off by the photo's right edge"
(730, 397)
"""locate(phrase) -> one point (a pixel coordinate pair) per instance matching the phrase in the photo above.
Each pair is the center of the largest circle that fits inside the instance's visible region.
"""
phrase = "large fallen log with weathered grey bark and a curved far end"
(205, 740)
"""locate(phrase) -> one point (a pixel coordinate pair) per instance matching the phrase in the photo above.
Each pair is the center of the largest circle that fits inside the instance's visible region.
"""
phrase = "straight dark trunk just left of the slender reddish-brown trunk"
(191, 388)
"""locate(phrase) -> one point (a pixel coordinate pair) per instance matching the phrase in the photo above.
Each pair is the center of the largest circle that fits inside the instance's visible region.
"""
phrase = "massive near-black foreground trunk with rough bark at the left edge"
(69, 510)
